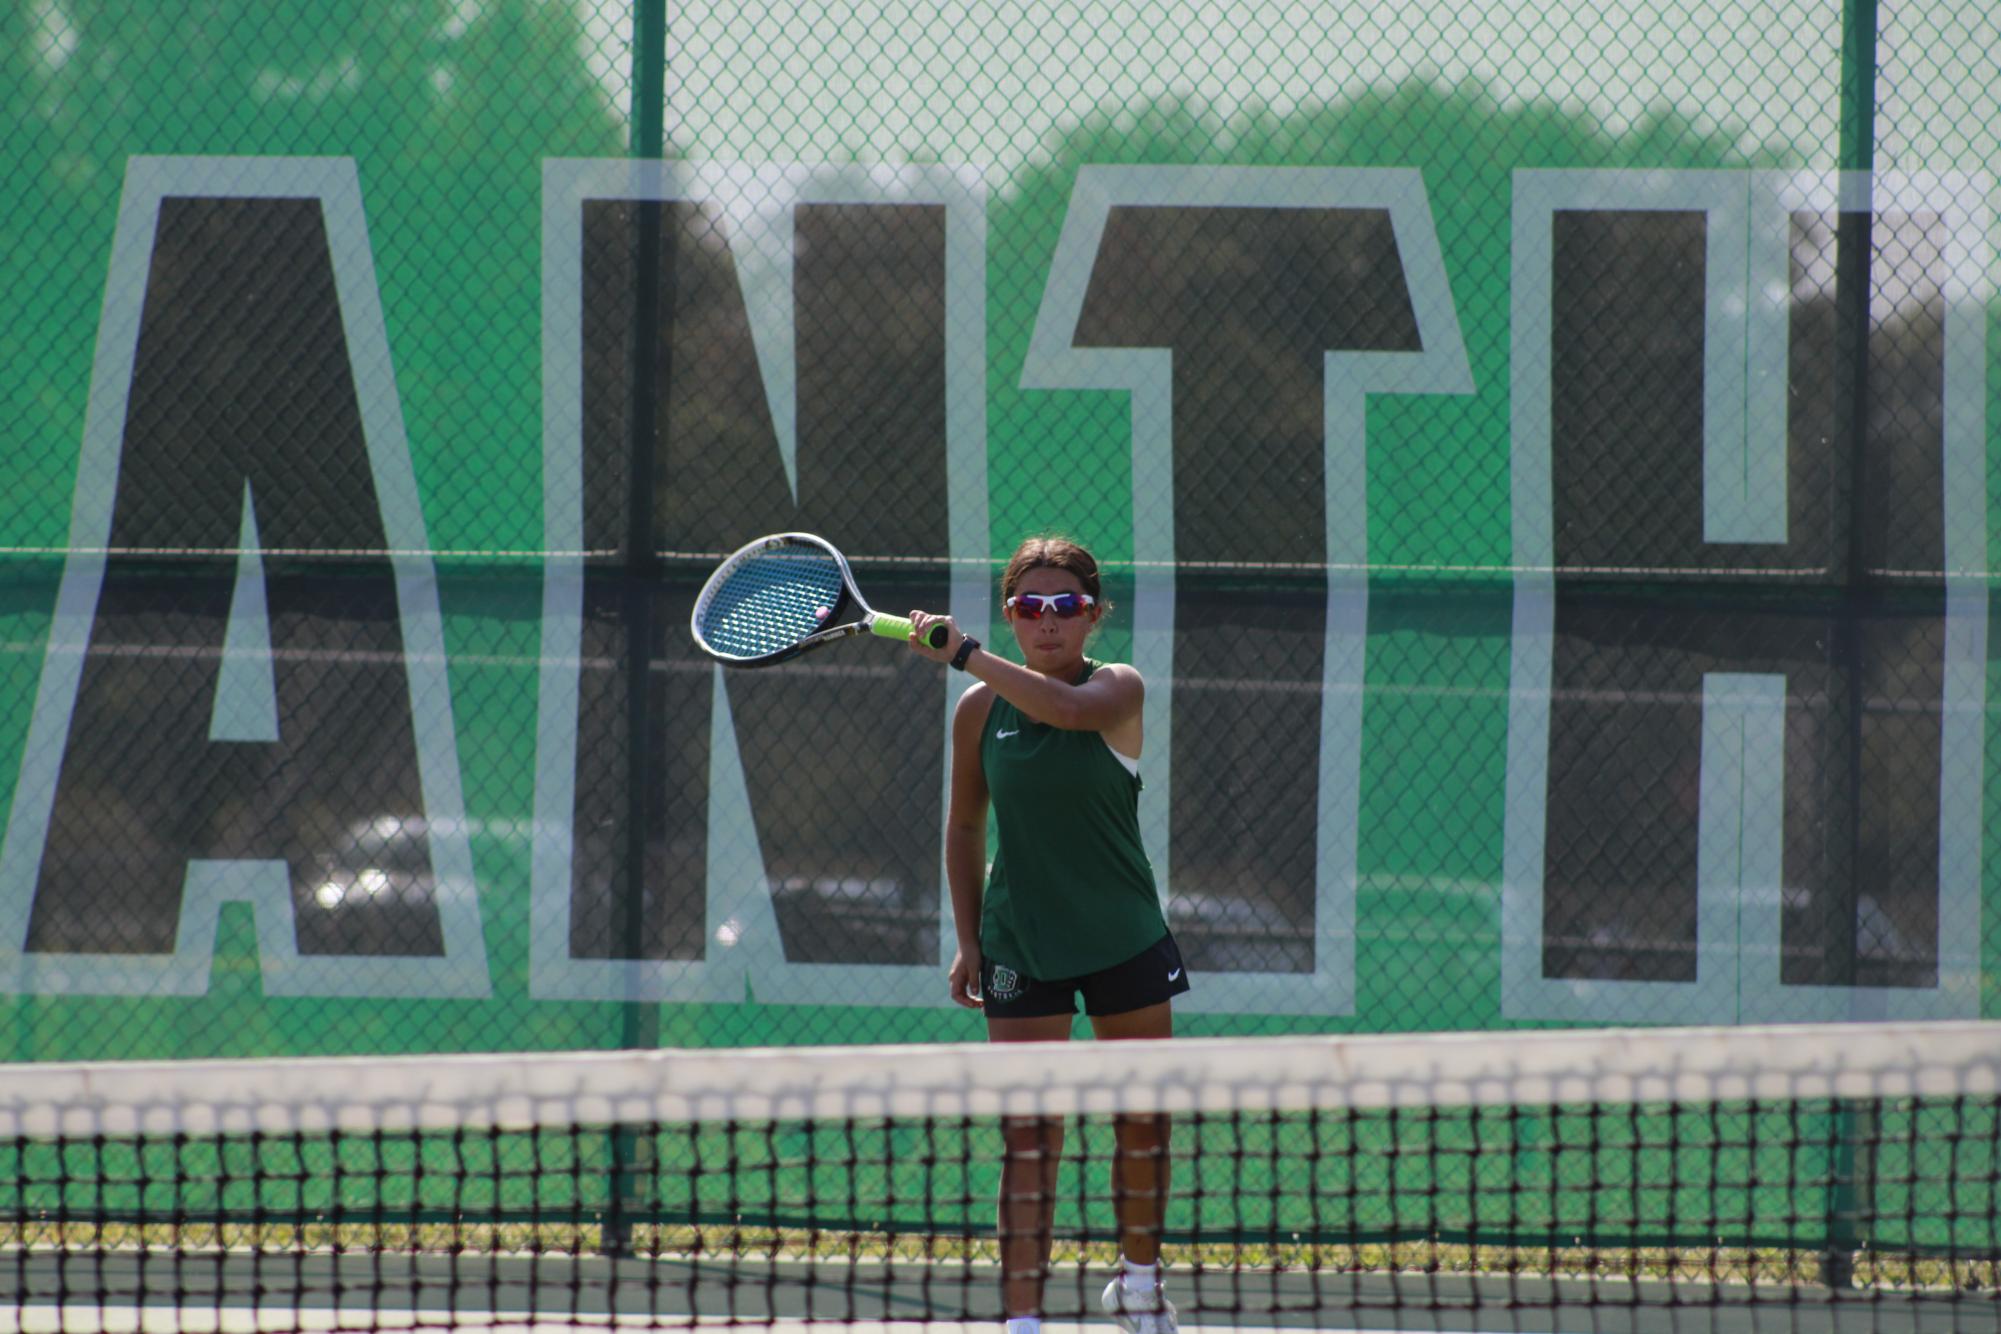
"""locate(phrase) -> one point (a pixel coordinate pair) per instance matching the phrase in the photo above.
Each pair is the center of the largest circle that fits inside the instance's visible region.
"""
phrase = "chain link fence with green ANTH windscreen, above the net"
(1540, 461)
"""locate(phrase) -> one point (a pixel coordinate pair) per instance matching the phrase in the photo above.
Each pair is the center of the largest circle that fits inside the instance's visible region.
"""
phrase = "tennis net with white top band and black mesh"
(1816, 1179)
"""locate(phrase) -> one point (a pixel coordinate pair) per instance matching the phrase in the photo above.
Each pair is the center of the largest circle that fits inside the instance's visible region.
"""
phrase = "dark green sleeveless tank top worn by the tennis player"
(1072, 889)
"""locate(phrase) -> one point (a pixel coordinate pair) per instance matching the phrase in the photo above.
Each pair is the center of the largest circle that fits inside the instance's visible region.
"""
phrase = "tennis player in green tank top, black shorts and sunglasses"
(1070, 905)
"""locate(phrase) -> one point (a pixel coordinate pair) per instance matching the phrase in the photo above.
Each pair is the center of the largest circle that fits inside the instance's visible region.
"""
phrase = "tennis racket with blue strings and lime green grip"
(783, 597)
